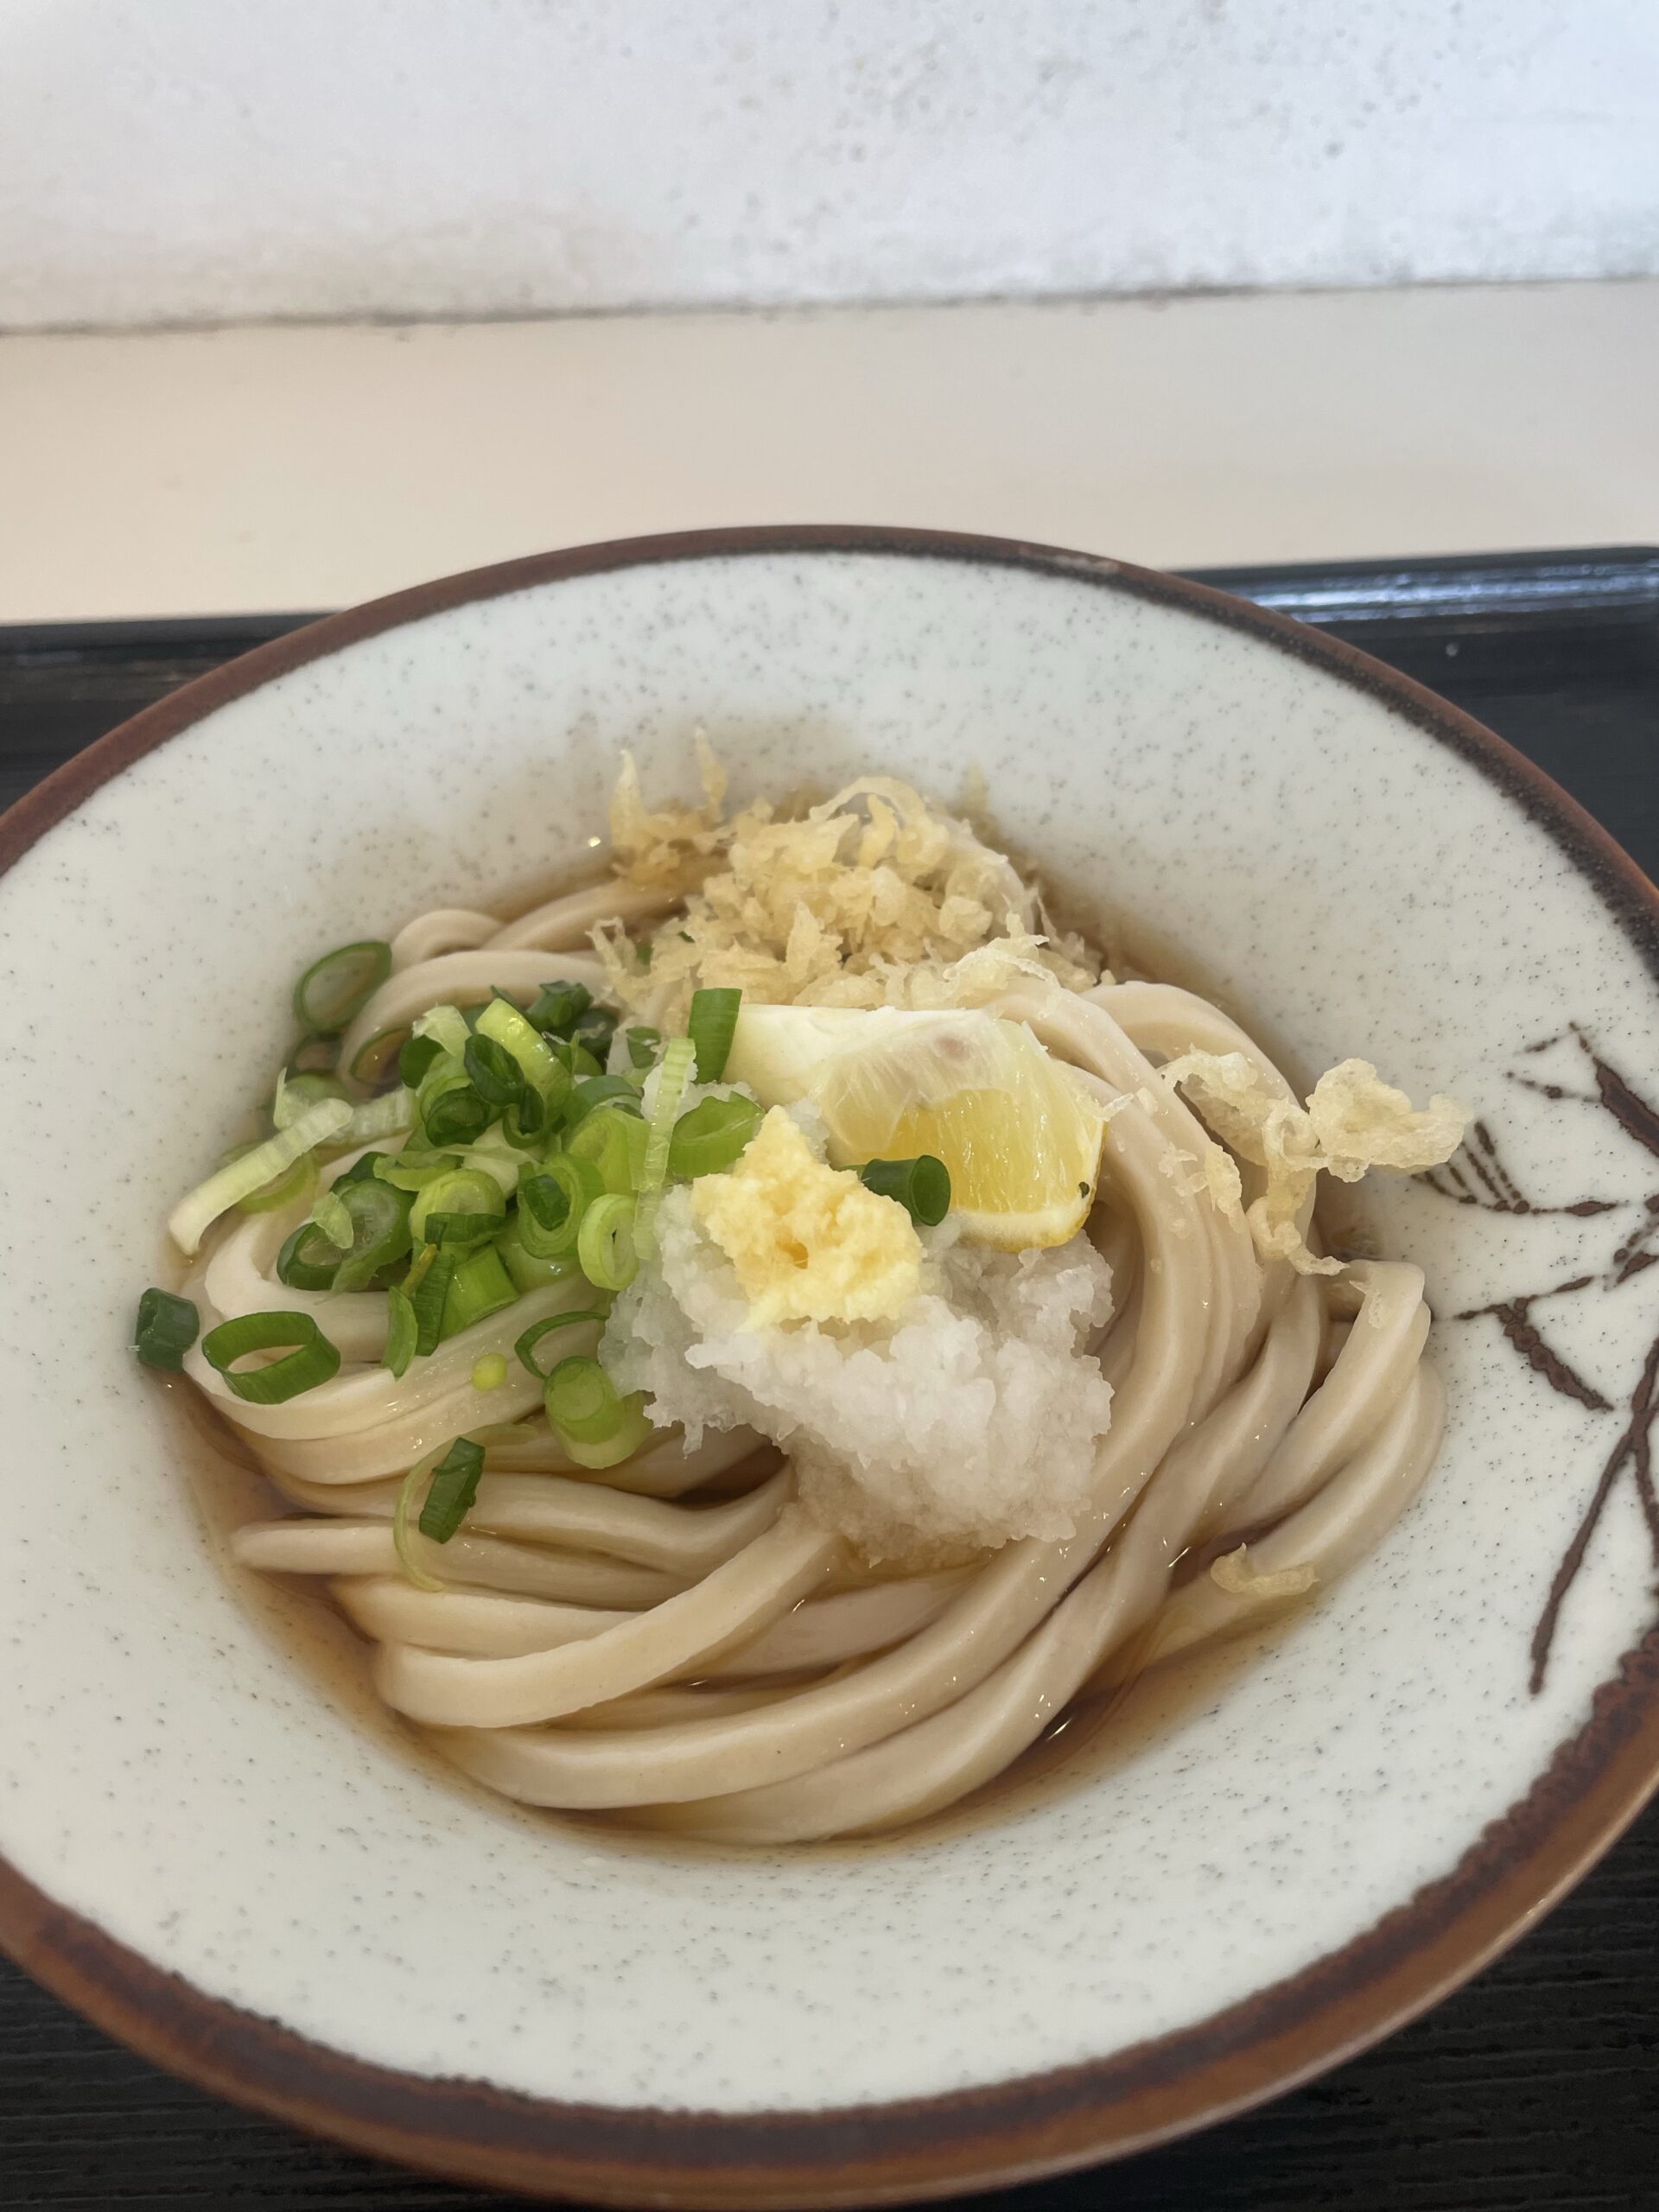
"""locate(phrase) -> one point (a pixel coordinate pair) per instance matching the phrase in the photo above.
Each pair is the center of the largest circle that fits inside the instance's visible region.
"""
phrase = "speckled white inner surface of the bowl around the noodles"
(171, 1775)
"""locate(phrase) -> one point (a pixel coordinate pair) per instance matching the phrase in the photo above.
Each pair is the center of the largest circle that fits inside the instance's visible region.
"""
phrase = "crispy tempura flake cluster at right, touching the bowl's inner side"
(1350, 1125)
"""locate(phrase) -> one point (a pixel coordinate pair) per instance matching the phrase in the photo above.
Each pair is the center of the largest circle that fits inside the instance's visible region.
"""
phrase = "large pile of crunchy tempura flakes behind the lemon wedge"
(873, 899)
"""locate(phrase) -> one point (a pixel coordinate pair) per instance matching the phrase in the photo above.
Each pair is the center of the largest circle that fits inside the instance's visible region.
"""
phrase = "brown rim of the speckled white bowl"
(968, 2140)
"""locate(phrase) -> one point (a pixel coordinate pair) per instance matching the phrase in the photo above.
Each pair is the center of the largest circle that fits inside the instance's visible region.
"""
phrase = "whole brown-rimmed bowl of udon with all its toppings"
(831, 1366)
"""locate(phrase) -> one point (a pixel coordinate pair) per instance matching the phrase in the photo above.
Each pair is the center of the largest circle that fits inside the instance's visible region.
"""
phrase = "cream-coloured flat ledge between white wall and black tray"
(213, 472)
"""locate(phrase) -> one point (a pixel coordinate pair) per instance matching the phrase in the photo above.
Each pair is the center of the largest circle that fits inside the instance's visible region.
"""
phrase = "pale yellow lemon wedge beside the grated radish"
(1016, 1129)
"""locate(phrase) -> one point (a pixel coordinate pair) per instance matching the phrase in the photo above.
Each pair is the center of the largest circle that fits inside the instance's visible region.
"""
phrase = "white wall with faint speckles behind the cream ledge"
(207, 160)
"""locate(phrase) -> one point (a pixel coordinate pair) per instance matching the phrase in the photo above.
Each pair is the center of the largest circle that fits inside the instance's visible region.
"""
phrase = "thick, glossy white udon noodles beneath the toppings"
(678, 1638)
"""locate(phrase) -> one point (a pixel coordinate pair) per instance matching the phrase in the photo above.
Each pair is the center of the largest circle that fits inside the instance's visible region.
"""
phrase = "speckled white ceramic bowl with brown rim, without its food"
(238, 1872)
